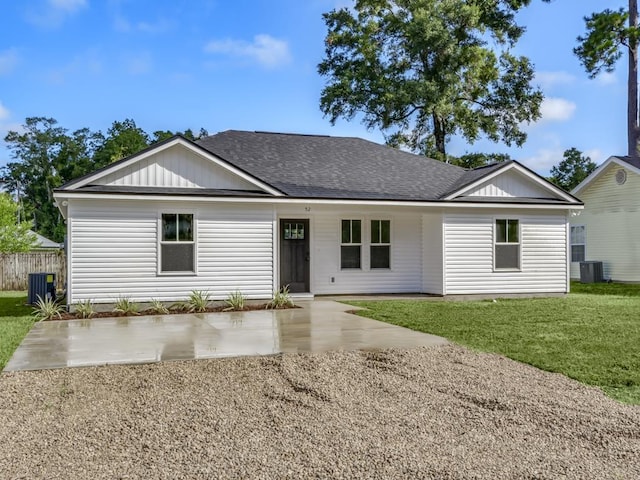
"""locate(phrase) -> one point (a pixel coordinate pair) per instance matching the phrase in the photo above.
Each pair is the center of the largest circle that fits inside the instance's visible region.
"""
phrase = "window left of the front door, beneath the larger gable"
(177, 245)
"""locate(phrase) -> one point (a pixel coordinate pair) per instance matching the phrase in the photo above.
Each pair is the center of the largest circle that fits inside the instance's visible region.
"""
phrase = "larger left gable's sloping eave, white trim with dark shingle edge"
(170, 142)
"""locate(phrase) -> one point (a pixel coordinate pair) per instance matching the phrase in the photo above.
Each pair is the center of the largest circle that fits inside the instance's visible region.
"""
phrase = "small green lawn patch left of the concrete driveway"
(15, 322)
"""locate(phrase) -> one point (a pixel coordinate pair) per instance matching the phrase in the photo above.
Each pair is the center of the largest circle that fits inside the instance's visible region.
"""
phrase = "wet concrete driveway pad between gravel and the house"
(320, 325)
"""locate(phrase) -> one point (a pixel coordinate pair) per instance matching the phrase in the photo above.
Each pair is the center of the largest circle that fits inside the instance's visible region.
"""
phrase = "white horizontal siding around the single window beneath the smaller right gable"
(469, 255)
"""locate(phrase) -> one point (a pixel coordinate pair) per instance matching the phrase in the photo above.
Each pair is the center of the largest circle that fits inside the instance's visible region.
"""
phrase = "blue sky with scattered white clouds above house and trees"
(251, 65)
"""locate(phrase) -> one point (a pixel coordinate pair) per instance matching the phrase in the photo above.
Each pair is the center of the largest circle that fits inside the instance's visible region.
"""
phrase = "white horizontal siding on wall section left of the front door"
(114, 251)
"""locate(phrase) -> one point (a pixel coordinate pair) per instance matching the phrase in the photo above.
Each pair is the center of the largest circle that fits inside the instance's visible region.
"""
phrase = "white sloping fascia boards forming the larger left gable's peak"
(178, 141)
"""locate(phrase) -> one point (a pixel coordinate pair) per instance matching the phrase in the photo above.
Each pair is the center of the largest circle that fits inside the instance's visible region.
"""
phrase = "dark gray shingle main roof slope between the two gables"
(334, 167)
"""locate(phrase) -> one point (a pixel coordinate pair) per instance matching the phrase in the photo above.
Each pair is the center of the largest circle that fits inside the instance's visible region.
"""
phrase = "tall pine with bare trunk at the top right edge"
(609, 34)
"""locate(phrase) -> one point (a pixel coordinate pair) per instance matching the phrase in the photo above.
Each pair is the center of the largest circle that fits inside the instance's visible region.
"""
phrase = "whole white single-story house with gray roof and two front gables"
(254, 211)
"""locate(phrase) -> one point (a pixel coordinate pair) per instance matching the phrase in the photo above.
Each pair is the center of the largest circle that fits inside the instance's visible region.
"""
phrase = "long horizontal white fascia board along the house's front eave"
(61, 196)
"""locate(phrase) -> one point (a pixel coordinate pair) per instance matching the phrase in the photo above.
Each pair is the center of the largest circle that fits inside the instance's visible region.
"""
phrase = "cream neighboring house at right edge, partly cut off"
(608, 229)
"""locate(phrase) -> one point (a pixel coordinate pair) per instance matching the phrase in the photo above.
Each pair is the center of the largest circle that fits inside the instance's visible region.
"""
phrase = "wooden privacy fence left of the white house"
(16, 267)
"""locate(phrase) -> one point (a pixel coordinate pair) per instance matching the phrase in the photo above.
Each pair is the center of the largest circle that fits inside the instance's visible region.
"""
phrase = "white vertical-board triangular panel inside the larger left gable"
(176, 167)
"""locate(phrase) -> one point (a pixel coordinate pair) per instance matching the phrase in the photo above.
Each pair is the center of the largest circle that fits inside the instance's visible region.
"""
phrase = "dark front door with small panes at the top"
(294, 254)
